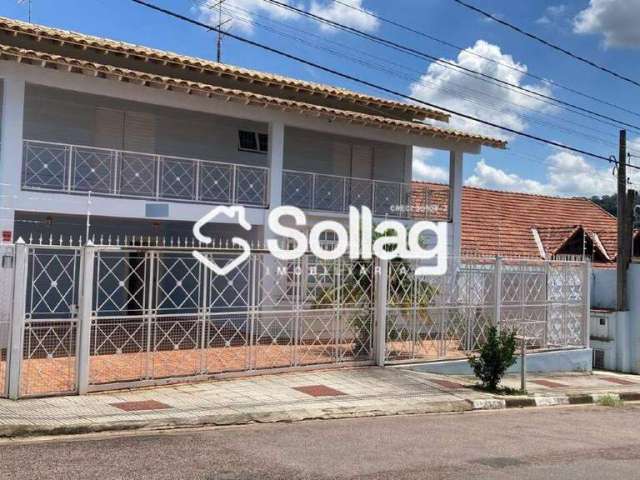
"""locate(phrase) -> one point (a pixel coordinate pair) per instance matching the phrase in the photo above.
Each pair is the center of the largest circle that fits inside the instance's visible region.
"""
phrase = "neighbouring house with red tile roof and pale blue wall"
(514, 224)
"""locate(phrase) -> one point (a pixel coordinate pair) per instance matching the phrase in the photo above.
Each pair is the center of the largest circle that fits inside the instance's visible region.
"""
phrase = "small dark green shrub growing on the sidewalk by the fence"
(496, 356)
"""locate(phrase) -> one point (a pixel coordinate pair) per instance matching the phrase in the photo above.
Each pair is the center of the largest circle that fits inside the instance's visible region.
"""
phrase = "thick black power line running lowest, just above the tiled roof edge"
(376, 86)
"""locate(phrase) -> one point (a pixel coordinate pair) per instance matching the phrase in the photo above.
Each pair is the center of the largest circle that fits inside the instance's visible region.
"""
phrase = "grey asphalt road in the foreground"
(556, 443)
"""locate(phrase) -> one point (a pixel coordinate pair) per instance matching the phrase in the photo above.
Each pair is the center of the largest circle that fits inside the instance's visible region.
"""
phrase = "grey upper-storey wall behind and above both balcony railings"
(65, 116)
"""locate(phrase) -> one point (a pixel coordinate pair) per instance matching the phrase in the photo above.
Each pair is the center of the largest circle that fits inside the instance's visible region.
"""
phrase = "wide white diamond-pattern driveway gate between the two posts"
(159, 313)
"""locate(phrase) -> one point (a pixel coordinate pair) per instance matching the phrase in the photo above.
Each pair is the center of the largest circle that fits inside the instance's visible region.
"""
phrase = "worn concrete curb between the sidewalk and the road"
(414, 406)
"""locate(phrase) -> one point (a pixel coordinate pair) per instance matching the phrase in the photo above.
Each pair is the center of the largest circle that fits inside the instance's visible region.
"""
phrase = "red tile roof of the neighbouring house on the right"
(502, 223)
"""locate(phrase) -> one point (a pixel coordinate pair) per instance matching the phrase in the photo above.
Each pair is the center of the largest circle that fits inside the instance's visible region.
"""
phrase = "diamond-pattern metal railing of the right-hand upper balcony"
(332, 193)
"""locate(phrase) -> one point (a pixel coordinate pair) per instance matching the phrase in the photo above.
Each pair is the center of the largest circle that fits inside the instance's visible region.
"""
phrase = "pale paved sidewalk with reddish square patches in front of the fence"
(326, 394)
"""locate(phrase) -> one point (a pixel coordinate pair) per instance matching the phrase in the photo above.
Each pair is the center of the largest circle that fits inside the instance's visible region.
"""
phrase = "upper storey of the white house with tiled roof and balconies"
(156, 138)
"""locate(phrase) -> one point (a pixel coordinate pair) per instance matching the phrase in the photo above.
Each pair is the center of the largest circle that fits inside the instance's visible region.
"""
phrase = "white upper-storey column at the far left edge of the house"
(11, 148)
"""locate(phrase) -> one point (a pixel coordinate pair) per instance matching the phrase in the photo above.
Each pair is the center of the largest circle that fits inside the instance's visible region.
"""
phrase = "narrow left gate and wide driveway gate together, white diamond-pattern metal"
(101, 317)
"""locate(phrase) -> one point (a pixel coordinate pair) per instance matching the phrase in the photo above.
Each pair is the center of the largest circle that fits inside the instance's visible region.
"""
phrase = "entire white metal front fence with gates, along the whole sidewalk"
(101, 317)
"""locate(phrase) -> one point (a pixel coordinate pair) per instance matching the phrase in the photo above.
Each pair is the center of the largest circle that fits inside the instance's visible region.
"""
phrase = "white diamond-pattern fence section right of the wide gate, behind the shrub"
(445, 317)
